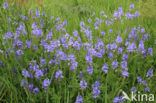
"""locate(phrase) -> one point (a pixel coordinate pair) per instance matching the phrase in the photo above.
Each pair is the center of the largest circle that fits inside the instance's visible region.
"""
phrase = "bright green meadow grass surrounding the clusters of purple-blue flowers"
(75, 11)
